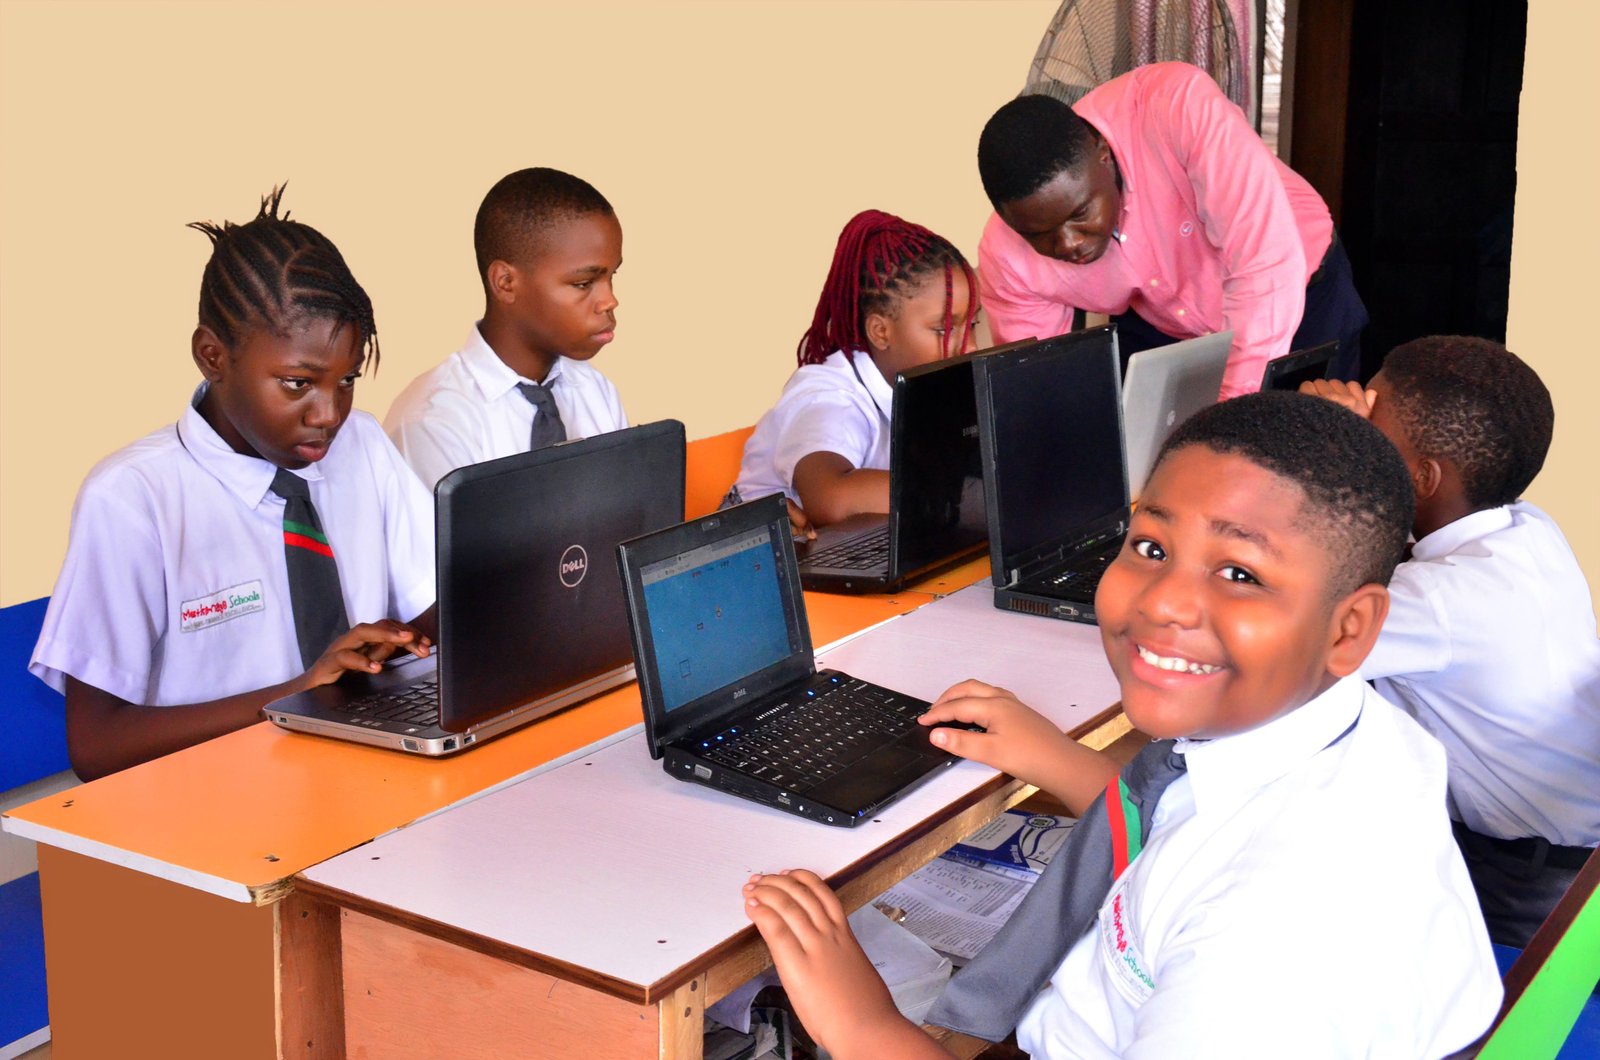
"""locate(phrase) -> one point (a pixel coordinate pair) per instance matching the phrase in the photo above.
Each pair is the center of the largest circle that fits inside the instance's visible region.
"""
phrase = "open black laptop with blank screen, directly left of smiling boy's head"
(1055, 480)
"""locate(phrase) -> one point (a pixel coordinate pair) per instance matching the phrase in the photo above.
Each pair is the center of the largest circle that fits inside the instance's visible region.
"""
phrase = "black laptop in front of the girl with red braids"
(937, 494)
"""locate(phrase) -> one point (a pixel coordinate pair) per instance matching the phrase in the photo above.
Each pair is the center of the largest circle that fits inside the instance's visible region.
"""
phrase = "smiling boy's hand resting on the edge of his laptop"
(1017, 739)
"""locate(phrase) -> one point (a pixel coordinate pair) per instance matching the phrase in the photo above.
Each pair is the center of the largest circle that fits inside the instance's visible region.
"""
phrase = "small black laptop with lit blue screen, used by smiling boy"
(734, 699)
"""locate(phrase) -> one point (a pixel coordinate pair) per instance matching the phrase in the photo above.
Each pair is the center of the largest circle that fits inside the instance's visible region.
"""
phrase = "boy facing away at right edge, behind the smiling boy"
(1490, 640)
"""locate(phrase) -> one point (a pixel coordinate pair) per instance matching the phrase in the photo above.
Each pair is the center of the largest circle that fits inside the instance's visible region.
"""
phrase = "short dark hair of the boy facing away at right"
(1476, 404)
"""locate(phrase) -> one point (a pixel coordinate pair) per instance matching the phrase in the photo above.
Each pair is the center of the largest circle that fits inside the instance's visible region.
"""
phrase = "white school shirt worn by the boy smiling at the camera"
(1294, 899)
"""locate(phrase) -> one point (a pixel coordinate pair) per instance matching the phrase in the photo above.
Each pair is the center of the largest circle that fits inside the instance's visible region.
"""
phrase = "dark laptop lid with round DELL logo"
(529, 600)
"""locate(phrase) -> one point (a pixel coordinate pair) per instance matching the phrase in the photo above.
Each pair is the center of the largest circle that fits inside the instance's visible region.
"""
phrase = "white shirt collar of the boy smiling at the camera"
(1230, 771)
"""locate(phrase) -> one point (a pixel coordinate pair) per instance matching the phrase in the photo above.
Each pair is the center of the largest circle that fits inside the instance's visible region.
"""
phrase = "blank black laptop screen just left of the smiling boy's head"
(1054, 448)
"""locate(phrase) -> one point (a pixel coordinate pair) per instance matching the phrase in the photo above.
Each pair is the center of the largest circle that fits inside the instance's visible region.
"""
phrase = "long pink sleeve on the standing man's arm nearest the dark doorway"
(1247, 215)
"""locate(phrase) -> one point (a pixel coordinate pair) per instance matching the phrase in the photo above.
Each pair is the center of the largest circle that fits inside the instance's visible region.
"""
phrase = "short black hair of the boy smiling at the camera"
(1359, 496)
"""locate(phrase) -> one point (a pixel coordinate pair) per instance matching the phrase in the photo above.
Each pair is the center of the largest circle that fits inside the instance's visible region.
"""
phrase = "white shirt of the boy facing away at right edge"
(1490, 644)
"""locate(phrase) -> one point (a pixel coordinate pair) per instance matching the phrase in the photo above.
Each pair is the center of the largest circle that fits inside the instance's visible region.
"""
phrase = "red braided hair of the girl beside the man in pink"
(879, 262)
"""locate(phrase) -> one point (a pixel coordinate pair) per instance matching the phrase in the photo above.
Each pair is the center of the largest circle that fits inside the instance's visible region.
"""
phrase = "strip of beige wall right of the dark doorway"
(1553, 259)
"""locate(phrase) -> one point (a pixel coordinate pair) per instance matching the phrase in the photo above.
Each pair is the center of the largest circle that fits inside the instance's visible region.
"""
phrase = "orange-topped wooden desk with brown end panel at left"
(169, 918)
